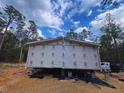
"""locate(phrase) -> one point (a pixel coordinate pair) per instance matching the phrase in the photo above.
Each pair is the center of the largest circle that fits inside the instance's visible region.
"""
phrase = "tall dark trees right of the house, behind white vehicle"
(112, 42)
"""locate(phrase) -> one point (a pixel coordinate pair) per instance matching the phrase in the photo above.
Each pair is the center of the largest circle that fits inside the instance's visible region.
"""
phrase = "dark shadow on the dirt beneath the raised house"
(87, 79)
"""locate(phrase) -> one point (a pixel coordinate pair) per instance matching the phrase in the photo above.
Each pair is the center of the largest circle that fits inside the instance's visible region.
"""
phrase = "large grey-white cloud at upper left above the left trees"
(41, 11)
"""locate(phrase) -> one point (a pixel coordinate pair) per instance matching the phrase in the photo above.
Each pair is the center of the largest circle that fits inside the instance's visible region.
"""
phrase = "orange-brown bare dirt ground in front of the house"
(14, 80)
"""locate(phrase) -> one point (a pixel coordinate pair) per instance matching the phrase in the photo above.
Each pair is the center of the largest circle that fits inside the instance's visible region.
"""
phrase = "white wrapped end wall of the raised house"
(63, 55)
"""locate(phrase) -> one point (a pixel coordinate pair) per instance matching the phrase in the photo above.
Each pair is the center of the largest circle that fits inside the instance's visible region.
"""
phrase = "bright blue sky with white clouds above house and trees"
(56, 17)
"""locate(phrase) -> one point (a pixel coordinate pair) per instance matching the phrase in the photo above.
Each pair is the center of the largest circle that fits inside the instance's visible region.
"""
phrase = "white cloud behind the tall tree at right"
(117, 13)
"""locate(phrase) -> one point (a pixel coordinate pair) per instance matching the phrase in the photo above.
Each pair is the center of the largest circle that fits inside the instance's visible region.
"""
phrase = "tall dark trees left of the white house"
(14, 33)
